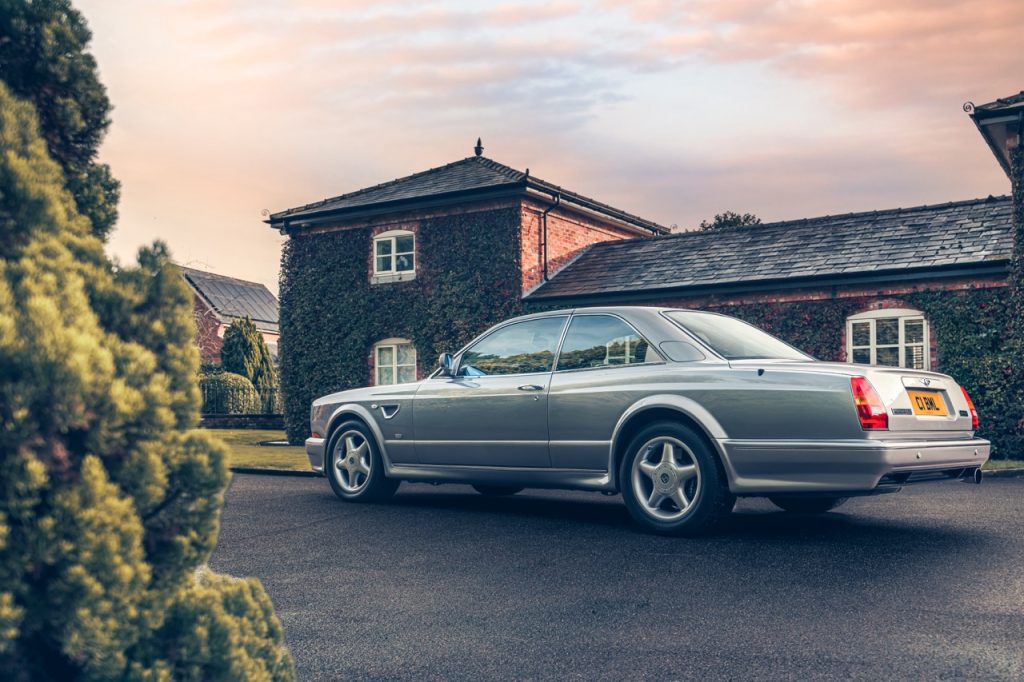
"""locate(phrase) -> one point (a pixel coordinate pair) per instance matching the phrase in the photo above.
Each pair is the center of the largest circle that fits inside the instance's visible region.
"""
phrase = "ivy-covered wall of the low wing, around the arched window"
(970, 331)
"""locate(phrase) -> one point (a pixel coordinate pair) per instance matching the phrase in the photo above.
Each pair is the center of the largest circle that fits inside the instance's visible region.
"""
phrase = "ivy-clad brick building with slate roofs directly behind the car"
(377, 282)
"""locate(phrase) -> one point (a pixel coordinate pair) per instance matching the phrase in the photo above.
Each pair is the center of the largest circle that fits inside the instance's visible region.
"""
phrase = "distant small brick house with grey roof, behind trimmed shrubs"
(220, 301)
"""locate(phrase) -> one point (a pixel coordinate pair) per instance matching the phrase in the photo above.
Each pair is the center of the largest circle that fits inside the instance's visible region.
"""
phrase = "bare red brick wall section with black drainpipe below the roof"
(569, 234)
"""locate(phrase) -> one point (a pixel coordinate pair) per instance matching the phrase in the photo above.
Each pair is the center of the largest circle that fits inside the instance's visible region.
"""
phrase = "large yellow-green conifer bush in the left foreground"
(110, 497)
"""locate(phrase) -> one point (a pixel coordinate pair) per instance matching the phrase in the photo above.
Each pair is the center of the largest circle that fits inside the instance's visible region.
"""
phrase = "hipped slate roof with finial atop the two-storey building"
(455, 182)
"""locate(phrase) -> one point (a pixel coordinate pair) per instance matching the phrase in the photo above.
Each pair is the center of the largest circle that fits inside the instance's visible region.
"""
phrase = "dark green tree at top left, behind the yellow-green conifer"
(44, 59)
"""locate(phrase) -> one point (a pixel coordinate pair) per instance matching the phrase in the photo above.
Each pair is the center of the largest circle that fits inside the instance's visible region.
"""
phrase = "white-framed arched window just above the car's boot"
(892, 337)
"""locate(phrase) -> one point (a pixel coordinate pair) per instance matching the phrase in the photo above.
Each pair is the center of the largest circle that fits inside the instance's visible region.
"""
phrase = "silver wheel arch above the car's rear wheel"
(673, 409)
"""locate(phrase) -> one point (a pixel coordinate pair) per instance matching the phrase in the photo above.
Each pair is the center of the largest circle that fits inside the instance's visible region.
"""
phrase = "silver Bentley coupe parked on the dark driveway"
(679, 411)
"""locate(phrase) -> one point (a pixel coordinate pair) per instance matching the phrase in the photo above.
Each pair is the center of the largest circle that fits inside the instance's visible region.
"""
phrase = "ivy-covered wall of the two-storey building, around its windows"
(467, 279)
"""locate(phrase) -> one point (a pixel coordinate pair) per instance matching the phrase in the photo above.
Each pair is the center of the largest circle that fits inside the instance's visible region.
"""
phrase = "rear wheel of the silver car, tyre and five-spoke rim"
(681, 491)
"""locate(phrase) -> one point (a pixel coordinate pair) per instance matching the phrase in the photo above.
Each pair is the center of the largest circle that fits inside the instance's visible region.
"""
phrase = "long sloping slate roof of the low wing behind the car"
(897, 242)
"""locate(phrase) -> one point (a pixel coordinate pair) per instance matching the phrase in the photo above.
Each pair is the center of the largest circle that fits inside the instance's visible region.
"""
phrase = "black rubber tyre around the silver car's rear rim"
(713, 503)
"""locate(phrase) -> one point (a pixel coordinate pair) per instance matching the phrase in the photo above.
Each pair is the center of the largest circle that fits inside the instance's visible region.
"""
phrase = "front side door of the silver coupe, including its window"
(495, 411)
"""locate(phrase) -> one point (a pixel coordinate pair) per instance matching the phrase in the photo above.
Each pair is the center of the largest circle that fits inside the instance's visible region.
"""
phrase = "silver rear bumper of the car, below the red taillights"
(757, 467)
